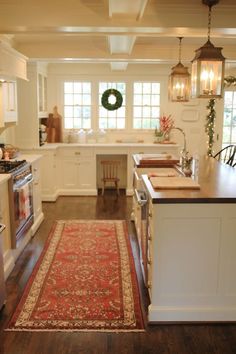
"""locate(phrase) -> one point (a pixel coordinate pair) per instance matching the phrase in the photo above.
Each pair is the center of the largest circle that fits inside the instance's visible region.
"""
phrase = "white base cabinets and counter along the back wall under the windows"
(75, 169)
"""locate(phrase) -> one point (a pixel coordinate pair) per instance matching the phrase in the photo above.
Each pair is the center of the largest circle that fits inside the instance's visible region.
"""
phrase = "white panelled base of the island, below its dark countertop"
(192, 253)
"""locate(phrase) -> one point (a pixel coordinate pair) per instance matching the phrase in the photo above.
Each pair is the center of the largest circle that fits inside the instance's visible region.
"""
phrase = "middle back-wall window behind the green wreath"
(112, 119)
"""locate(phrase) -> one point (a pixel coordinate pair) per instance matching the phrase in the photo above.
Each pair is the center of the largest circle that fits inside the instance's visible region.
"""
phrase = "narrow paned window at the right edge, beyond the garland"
(229, 124)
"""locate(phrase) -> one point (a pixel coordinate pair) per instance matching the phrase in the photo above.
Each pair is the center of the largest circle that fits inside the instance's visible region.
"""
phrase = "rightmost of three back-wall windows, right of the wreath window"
(146, 105)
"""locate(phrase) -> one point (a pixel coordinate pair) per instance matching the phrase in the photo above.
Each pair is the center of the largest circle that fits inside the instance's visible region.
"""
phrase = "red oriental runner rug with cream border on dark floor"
(84, 280)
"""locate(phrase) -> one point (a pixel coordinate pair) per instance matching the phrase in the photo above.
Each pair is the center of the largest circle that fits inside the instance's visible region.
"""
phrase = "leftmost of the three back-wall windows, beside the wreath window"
(77, 105)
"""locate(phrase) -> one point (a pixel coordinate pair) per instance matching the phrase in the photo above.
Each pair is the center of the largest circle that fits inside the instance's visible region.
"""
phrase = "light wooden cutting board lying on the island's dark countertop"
(174, 183)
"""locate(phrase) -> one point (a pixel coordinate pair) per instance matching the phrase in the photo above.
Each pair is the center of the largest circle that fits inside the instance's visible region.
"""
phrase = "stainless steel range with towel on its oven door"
(20, 197)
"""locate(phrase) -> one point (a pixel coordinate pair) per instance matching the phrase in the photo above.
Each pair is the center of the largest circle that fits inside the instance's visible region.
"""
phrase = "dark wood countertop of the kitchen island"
(217, 185)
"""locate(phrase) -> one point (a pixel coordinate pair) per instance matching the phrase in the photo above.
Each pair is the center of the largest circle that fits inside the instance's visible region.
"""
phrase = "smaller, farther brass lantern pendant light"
(179, 81)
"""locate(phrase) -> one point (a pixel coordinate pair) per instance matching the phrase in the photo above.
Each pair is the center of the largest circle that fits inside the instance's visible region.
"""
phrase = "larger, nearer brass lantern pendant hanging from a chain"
(208, 66)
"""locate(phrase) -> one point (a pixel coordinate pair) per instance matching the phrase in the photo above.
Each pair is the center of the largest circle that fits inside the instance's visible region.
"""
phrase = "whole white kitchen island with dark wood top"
(191, 248)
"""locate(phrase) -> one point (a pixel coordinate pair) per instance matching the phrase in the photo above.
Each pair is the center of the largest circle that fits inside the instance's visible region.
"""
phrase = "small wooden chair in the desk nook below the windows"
(110, 174)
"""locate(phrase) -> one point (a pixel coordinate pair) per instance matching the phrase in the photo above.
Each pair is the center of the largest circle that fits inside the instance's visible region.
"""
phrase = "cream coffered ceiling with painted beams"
(117, 32)
